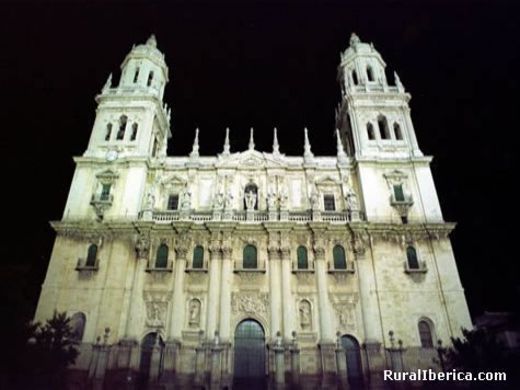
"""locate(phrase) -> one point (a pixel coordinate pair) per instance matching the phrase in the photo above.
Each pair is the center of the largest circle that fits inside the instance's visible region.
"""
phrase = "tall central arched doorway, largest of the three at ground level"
(249, 355)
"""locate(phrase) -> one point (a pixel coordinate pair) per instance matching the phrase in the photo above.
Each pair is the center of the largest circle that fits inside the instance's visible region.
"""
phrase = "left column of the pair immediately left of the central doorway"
(214, 287)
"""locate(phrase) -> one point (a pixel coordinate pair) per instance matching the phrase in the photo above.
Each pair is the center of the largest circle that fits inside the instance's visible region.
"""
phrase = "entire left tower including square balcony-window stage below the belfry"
(130, 132)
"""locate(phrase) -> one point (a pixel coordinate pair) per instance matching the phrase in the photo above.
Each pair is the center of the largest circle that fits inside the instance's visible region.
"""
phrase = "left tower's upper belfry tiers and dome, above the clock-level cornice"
(131, 118)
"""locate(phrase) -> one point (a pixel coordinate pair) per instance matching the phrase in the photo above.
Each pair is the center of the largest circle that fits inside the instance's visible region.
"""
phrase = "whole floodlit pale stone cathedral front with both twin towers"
(215, 271)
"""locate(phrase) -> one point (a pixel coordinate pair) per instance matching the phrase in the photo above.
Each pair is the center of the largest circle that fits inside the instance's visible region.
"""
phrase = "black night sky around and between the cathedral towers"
(267, 64)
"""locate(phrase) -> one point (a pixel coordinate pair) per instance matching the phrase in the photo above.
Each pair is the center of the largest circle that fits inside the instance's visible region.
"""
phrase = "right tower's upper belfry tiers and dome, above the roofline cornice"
(373, 116)
